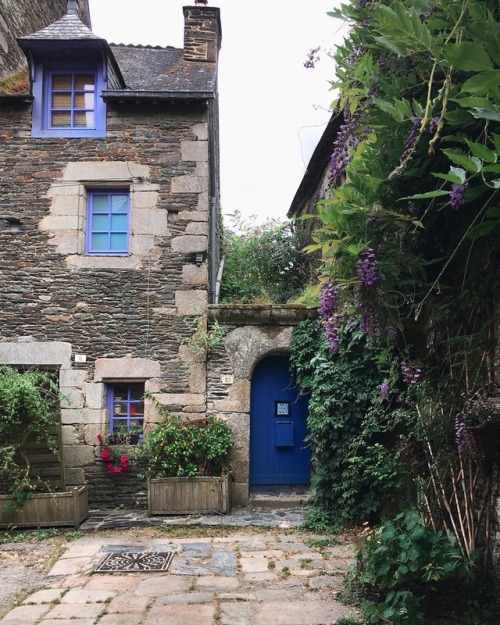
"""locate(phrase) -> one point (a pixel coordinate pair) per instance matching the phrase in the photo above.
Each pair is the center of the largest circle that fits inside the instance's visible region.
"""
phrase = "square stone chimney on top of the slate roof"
(202, 33)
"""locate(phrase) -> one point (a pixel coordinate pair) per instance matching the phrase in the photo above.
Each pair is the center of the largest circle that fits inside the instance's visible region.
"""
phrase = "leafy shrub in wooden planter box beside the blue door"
(187, 465)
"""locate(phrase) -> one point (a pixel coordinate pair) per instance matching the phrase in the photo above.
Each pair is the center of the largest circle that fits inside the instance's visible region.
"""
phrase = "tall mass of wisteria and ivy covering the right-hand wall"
(409, 236)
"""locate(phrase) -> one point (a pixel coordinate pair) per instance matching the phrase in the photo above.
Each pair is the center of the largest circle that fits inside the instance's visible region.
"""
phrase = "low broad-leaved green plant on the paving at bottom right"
(399, 559)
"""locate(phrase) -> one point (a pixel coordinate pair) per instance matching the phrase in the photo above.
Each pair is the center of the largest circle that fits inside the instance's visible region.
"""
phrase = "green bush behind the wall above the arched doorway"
(263, 264)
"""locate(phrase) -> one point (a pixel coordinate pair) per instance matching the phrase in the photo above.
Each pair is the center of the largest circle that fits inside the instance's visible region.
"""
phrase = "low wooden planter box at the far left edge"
(47, 509)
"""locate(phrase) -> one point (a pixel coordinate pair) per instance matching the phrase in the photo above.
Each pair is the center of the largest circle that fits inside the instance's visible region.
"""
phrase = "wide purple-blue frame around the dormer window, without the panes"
(42, 99)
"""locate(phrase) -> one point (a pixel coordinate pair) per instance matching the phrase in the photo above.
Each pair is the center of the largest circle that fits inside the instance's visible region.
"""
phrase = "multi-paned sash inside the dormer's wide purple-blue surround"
(72, 100)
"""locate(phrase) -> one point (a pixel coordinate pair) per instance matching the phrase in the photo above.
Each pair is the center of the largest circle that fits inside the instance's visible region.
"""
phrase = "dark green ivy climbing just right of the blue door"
(354, 473)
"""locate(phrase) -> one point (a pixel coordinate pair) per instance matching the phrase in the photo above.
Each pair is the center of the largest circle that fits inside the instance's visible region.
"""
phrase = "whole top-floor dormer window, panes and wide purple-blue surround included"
(67, 102)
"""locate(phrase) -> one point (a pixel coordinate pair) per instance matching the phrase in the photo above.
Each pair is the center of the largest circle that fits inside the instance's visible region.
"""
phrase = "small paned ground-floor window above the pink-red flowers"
(126, 407)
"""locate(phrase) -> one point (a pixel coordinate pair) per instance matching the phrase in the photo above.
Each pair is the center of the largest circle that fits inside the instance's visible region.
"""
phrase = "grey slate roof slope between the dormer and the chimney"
(147, 68)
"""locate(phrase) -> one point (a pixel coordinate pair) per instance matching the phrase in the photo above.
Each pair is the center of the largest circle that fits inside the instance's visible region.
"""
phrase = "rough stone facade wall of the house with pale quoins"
(127, 316)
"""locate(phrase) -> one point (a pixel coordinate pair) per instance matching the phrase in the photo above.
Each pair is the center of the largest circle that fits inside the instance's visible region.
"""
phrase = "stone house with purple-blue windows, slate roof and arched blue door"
(109, 247)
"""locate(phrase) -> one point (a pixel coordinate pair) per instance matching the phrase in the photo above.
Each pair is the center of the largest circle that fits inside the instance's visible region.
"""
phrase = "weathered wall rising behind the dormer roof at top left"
(23, 17)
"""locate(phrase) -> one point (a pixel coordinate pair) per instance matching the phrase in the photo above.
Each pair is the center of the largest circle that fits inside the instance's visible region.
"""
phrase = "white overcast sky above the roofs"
(272, 109)
